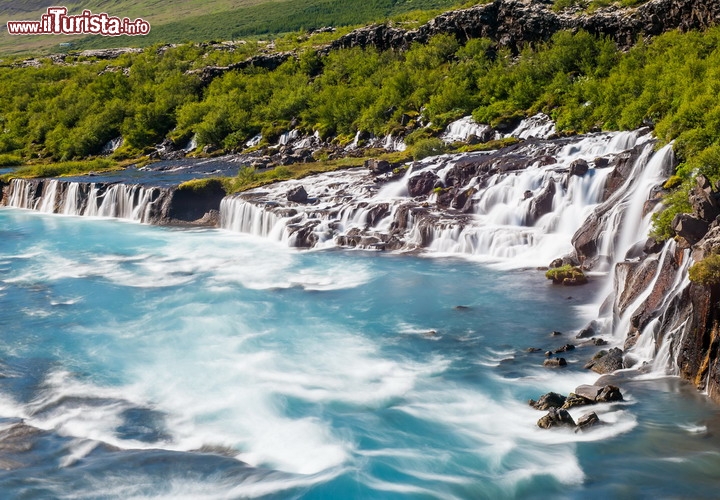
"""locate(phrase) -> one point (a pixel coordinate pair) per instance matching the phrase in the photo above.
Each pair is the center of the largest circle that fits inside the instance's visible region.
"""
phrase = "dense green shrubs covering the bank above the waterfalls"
(62, 113)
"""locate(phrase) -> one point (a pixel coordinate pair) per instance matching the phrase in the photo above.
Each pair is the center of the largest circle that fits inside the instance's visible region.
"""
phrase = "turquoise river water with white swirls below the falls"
(173, 363)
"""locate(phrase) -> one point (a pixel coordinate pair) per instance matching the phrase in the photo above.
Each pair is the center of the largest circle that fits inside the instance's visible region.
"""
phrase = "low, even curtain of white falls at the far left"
(134, 202)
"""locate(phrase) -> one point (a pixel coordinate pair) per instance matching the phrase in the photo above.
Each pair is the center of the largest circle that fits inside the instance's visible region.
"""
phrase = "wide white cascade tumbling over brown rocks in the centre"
(522, 215)
